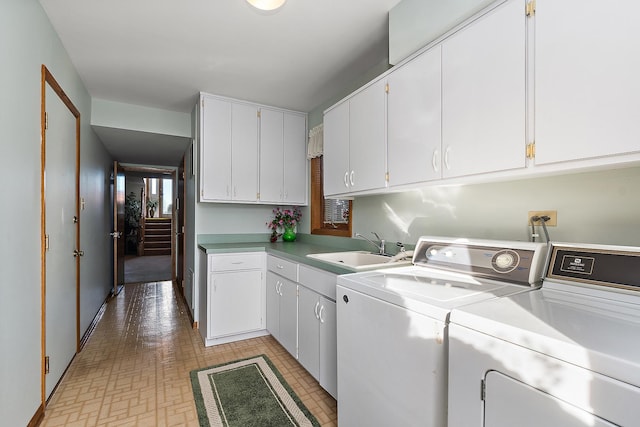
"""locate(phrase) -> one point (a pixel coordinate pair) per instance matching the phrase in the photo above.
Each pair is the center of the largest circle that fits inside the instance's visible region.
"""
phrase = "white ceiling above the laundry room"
(161, 53)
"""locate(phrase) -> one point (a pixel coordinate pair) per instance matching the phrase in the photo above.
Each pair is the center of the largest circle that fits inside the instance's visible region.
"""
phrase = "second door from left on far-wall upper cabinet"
(244, 152)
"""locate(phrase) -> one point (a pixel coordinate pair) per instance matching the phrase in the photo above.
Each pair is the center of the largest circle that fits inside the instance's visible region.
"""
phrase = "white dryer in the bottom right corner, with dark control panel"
(567, 354)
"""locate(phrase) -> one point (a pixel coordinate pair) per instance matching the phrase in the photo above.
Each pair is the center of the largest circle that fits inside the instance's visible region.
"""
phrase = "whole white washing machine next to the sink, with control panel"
(392, 325)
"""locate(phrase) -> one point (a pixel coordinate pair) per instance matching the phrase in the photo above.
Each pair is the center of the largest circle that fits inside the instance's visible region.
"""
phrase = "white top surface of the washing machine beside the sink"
(428, 291)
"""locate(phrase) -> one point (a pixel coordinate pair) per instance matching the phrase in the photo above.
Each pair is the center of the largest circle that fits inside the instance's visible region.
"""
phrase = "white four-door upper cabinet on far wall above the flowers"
(251, 154)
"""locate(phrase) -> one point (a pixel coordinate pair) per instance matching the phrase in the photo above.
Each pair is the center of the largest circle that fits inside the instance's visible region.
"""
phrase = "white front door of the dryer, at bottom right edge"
(509, 402)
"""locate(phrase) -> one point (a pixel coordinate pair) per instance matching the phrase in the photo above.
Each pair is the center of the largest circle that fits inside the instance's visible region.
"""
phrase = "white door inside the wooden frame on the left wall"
(60, 231)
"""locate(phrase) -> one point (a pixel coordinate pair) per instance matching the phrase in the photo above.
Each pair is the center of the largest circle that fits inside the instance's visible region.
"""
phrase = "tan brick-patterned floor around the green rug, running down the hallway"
(134, 369)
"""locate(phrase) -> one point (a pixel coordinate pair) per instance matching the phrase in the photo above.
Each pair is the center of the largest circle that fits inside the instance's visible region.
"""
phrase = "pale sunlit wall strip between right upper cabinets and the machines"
(595, 207)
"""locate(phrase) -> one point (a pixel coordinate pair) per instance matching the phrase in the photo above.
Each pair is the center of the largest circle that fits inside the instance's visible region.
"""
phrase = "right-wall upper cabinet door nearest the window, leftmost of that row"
(336, 150)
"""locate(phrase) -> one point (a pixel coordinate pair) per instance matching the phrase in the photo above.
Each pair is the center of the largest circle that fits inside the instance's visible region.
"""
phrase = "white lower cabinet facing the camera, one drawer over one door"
(232, 297)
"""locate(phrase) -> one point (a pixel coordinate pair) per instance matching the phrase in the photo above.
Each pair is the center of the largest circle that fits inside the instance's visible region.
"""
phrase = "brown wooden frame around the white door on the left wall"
(47, 78)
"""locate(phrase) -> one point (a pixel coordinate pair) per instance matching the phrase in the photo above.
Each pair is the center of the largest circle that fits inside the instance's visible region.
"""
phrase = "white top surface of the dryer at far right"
(592, 332)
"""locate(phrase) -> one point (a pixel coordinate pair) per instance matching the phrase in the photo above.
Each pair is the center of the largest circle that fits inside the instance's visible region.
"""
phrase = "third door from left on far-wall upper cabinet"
(271, 155)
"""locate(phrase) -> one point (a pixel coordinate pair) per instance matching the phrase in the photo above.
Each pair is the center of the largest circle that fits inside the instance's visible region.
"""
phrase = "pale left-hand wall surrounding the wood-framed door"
(27, 41)
